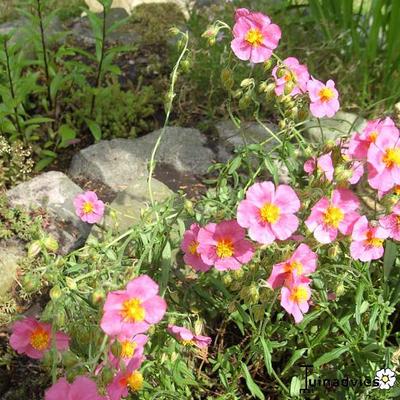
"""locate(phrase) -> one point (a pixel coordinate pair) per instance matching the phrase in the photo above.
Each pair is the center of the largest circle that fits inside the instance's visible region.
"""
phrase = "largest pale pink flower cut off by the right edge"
(384, 160)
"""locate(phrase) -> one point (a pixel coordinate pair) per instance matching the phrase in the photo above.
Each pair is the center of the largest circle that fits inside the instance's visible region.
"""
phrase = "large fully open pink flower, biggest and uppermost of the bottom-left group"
(133, 310)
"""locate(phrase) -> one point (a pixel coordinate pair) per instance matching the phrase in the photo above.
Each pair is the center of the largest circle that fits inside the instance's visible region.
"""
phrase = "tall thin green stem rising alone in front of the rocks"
(171, 95)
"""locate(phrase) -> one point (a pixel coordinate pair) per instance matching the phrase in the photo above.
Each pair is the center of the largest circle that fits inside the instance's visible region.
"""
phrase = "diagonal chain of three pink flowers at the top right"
(255, 38)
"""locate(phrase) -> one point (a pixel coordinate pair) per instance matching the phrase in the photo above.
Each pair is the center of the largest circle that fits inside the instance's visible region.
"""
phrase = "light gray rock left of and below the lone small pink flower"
(54, 192)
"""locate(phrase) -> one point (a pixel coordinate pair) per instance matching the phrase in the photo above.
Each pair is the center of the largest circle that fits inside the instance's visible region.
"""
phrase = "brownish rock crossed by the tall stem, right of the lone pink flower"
(127, 207)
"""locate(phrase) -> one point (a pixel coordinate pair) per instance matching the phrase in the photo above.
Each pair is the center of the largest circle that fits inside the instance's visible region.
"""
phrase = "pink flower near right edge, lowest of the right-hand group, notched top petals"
(367, 241)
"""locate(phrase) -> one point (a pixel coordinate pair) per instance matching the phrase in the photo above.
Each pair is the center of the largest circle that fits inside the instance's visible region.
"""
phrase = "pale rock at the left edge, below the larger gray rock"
(11, 252)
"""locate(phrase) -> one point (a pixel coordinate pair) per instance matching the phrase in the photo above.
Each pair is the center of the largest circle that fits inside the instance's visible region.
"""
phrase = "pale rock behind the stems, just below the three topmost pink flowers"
(341, 125)
